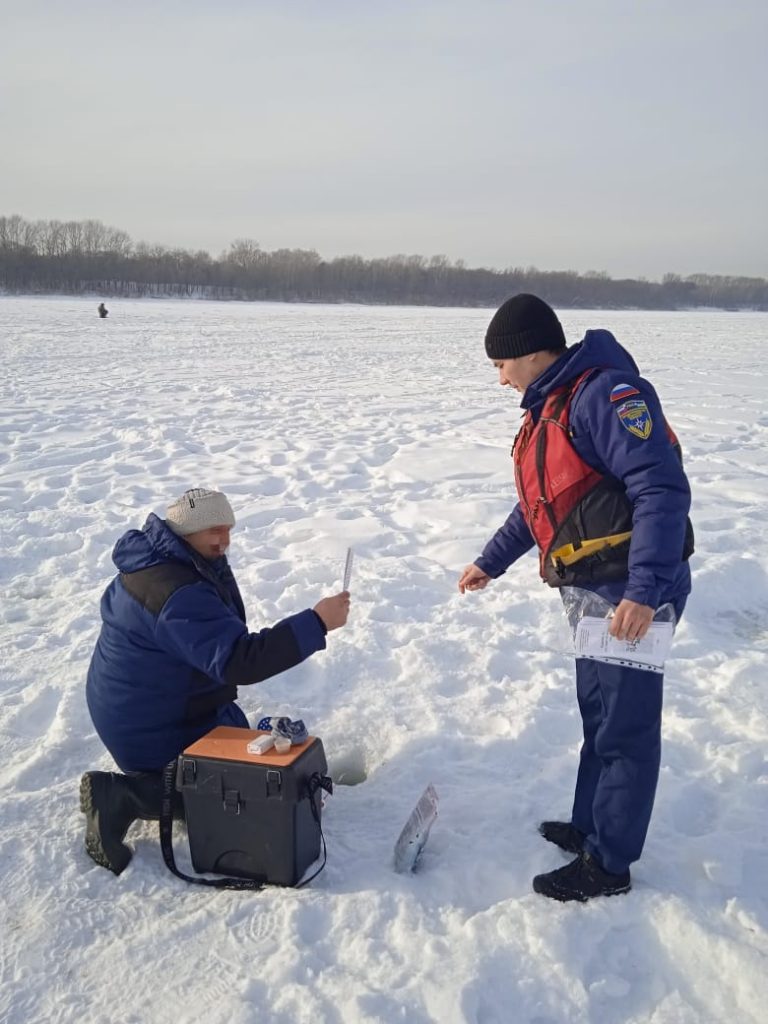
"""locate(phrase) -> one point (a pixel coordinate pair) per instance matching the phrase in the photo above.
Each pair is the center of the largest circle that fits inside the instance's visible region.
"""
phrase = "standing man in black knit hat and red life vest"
(594, 460)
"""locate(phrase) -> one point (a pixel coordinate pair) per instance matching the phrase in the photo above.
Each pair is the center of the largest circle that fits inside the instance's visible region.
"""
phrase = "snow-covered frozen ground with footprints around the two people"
(383, 429)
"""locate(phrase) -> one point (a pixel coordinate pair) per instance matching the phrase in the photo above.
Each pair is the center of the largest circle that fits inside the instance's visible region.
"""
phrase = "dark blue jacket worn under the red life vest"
(650, 470)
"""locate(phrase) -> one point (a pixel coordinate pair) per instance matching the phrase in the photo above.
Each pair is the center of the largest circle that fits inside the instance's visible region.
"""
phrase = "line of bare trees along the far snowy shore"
(89, 258)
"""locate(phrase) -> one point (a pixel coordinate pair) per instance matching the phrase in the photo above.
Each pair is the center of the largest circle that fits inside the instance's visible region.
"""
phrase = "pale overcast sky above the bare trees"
(620, 136)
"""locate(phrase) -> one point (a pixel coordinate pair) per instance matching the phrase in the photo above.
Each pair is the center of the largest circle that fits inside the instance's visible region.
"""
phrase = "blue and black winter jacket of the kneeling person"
(175, 648)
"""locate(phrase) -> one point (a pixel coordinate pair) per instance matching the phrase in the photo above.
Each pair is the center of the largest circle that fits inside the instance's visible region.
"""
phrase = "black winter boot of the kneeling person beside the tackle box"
(111, 803)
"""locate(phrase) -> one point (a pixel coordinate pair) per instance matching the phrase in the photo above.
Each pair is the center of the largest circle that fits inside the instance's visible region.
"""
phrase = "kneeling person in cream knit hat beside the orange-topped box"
(173, 652)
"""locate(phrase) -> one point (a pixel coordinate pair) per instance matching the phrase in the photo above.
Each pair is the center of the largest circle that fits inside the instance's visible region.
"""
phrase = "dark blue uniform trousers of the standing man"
(619, 767)
